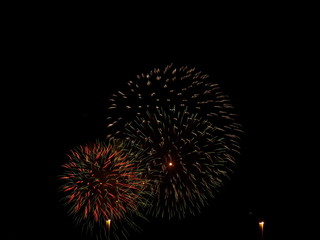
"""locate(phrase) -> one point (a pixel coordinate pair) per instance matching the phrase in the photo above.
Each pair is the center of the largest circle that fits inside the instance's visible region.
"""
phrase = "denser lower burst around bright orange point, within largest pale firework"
(189, 160)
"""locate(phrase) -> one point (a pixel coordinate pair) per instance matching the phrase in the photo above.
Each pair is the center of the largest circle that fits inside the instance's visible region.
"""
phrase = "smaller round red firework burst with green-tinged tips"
(103, 184)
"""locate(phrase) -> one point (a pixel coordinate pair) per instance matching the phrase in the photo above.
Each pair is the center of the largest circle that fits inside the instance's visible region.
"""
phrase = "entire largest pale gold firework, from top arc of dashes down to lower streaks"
(189, 128)
